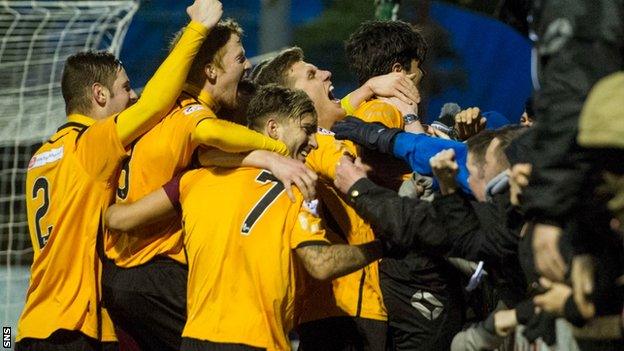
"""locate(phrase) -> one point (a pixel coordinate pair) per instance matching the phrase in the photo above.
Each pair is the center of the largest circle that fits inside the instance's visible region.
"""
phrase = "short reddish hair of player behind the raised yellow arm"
(211, 50)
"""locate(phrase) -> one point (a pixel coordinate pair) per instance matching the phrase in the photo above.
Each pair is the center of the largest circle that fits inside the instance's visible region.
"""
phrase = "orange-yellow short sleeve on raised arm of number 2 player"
(99, 150)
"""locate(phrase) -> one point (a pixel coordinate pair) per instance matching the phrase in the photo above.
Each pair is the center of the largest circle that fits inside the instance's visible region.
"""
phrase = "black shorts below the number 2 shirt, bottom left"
(65, 340)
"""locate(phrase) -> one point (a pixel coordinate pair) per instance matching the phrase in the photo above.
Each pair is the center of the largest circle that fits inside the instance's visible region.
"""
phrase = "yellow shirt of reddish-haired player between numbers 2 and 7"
(157, 156)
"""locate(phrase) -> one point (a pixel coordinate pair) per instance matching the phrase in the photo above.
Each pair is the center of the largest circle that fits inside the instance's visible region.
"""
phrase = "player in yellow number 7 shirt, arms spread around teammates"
(241, 248)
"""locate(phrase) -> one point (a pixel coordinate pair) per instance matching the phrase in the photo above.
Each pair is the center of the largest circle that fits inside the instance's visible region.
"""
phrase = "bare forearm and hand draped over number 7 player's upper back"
(287, 170)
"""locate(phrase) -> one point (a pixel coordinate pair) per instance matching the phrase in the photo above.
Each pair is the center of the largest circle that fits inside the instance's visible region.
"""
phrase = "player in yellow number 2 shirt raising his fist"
(70, 183)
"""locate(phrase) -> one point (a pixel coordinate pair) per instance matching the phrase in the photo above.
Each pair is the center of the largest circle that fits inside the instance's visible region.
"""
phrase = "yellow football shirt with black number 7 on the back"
(240, 234)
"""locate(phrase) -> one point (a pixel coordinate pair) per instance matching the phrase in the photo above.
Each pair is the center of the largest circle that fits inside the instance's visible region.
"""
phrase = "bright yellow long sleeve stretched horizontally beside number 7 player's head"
(232, 137)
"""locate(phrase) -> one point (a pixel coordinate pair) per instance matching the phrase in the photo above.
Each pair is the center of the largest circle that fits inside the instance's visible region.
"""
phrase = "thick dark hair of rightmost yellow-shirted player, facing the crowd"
(377, 45)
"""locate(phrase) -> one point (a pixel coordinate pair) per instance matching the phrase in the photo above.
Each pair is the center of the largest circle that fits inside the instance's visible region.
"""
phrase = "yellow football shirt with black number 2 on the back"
(69, 184)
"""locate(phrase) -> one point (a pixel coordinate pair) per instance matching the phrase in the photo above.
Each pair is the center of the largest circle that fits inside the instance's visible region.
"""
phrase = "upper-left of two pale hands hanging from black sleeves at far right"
(548, 260)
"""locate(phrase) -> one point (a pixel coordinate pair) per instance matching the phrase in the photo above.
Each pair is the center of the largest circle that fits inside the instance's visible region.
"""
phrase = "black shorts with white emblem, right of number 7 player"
(419, 319)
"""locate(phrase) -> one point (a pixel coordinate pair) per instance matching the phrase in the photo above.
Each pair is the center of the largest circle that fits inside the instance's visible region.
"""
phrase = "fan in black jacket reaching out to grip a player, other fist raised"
(453, 225)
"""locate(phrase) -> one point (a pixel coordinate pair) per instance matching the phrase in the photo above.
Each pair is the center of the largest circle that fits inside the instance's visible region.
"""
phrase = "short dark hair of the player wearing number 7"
(276, 101)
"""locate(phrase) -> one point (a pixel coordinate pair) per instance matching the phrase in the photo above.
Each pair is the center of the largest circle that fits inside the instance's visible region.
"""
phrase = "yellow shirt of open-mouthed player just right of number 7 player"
(356, 294)
